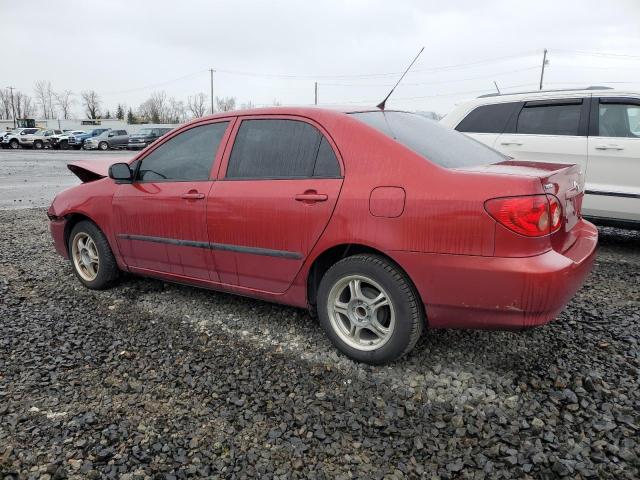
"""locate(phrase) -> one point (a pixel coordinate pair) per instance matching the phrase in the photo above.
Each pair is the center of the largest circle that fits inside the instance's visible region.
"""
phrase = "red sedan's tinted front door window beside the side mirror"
(186, 157)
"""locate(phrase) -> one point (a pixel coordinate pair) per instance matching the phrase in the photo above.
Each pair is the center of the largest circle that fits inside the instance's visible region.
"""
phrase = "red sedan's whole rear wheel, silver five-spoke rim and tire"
(369, 309)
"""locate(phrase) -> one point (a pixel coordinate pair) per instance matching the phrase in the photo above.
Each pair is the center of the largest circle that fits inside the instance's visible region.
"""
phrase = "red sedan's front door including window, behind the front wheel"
(160, 217)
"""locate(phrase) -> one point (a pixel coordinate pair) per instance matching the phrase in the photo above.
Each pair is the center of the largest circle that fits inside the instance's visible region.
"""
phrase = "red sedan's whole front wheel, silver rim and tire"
(91, 256)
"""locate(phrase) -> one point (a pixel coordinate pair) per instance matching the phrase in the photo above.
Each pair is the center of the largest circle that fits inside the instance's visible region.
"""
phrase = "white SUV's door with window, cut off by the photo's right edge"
(613, 178)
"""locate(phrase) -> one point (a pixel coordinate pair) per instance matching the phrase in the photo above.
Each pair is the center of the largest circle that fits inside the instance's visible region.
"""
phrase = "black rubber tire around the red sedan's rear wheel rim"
(406, 302)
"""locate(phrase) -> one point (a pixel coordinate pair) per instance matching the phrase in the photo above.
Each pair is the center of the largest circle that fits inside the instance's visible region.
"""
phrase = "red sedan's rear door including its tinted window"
(276, 191)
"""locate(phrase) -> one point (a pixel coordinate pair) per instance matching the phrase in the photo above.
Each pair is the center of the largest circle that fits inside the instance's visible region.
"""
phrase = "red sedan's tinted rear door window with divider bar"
(281, 149)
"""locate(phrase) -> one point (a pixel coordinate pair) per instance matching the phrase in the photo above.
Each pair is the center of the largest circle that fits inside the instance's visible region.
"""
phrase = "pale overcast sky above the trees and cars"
(274, 50)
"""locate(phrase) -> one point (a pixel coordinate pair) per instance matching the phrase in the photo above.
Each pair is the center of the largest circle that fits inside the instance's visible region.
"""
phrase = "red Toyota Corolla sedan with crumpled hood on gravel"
(382, 221)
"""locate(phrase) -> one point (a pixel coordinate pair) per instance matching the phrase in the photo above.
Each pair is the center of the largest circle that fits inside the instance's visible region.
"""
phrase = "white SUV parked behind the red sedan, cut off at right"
(597, 128)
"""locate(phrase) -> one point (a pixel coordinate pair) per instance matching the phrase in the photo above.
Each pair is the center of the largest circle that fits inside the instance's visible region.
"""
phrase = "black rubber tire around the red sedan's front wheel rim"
(107, 272)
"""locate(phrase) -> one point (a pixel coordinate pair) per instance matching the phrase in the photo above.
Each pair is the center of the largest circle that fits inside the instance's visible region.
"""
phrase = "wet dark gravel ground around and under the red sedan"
(152, 380)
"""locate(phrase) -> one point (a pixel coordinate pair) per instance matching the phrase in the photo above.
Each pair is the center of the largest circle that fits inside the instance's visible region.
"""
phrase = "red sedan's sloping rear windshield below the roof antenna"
(433, 141)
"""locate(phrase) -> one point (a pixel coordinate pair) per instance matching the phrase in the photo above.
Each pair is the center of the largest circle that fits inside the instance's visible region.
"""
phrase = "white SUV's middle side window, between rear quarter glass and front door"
(549, 119)
